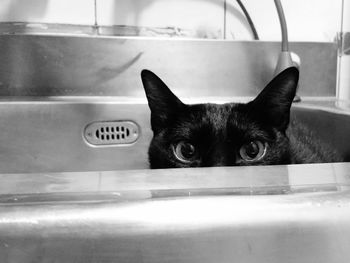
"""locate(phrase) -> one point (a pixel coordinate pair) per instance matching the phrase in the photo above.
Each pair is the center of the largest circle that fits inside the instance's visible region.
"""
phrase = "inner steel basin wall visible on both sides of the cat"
(46, 135)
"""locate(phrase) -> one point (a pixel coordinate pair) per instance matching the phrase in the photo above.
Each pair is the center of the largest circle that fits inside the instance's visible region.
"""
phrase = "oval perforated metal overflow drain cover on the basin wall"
(111, 133)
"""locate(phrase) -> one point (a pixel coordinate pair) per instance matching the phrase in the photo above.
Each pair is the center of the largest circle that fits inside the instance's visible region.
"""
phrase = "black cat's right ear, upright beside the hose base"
(273, 104)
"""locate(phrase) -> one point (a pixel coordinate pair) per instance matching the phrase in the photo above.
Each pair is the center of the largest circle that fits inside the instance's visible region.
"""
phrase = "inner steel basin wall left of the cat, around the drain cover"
(44, 136)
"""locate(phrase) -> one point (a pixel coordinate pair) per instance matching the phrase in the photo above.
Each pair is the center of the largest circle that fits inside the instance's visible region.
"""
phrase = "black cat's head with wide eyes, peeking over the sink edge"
(220, 134)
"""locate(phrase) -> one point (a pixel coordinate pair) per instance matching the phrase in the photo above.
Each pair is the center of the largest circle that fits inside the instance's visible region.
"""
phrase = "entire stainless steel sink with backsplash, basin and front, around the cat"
(57, 203)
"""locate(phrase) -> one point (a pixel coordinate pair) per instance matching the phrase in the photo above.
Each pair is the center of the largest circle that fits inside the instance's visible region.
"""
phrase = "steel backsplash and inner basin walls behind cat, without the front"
(53, 86)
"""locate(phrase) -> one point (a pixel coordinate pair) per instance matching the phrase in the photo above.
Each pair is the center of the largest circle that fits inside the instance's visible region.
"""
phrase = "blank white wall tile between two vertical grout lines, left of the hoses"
(203, 17)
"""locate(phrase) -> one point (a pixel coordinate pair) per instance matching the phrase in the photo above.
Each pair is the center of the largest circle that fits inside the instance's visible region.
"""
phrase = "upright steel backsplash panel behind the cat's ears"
(42, 65)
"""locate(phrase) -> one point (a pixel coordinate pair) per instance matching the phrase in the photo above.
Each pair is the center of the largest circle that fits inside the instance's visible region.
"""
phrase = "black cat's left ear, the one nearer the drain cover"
(163, 103)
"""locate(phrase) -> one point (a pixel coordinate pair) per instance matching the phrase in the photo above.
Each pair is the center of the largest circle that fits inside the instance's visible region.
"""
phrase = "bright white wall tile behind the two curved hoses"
(311, 20)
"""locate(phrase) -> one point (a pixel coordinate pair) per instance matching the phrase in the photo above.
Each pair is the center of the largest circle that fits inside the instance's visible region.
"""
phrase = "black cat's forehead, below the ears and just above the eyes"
(215, 123)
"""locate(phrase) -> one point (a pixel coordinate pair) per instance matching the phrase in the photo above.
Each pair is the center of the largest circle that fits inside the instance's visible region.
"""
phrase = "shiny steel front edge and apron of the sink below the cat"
(144, 216)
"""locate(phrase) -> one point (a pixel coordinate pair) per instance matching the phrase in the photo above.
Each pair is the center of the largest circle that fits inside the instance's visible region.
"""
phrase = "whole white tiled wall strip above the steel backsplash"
(309, 20)
